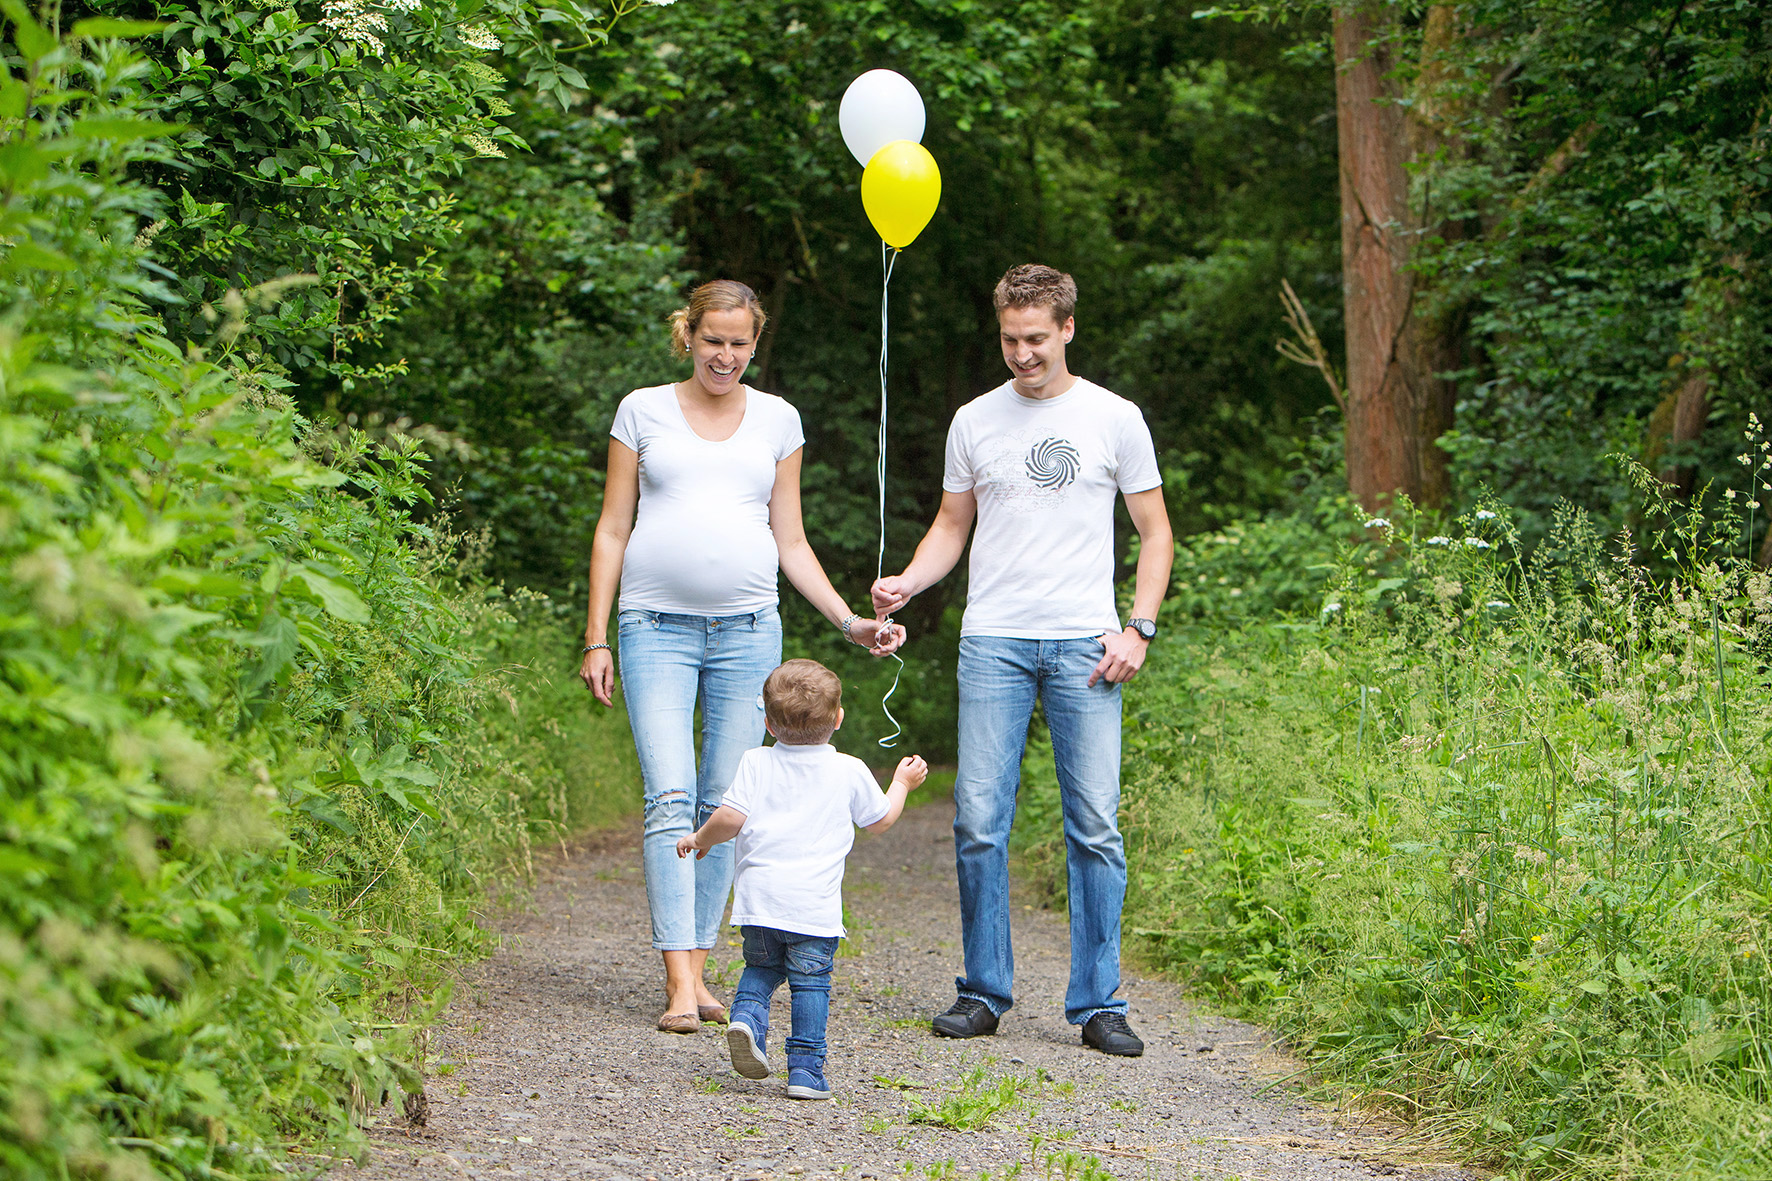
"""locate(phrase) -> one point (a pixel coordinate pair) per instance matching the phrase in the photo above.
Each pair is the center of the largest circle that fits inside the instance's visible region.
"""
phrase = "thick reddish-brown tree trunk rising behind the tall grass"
(1397, 405)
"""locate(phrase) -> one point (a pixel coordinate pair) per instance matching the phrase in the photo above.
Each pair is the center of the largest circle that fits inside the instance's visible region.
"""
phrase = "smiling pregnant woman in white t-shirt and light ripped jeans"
(711, 471)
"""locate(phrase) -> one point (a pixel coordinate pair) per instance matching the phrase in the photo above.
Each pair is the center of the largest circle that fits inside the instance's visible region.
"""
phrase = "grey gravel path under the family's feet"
(548, 1063)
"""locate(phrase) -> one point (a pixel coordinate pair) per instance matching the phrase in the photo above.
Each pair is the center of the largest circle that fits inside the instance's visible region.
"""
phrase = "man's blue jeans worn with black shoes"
(1000, 680)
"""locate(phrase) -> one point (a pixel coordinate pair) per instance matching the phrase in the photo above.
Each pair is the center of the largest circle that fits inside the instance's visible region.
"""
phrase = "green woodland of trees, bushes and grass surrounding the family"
(316, 318)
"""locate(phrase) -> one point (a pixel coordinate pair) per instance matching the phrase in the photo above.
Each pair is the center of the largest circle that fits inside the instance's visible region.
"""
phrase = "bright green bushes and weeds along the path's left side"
(245, 799)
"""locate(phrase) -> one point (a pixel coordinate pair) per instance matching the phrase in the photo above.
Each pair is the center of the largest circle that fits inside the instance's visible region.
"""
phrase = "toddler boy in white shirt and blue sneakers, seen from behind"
(795, 809)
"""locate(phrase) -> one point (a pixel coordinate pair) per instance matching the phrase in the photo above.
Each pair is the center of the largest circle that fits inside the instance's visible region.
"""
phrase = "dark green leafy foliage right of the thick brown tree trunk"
(1608, 228)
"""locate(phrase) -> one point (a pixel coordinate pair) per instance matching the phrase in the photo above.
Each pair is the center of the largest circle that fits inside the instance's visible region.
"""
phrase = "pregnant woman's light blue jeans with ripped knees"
(671, 662)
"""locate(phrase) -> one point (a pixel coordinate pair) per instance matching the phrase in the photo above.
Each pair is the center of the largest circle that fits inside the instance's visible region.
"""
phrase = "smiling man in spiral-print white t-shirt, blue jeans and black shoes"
(1039, 462)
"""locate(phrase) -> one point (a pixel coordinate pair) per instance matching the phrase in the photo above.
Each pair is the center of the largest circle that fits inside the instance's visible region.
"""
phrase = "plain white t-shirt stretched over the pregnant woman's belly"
(703, 542)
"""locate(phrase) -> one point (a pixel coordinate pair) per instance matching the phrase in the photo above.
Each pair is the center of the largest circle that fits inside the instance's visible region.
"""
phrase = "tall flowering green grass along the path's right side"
(1486, 838)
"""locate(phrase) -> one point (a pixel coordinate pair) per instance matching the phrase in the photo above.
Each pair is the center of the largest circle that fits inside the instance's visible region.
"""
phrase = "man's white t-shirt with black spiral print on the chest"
(1046, 473)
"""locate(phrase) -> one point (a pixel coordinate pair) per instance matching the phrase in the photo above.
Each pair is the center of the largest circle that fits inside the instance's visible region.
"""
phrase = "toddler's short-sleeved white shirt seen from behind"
(802, 809)
